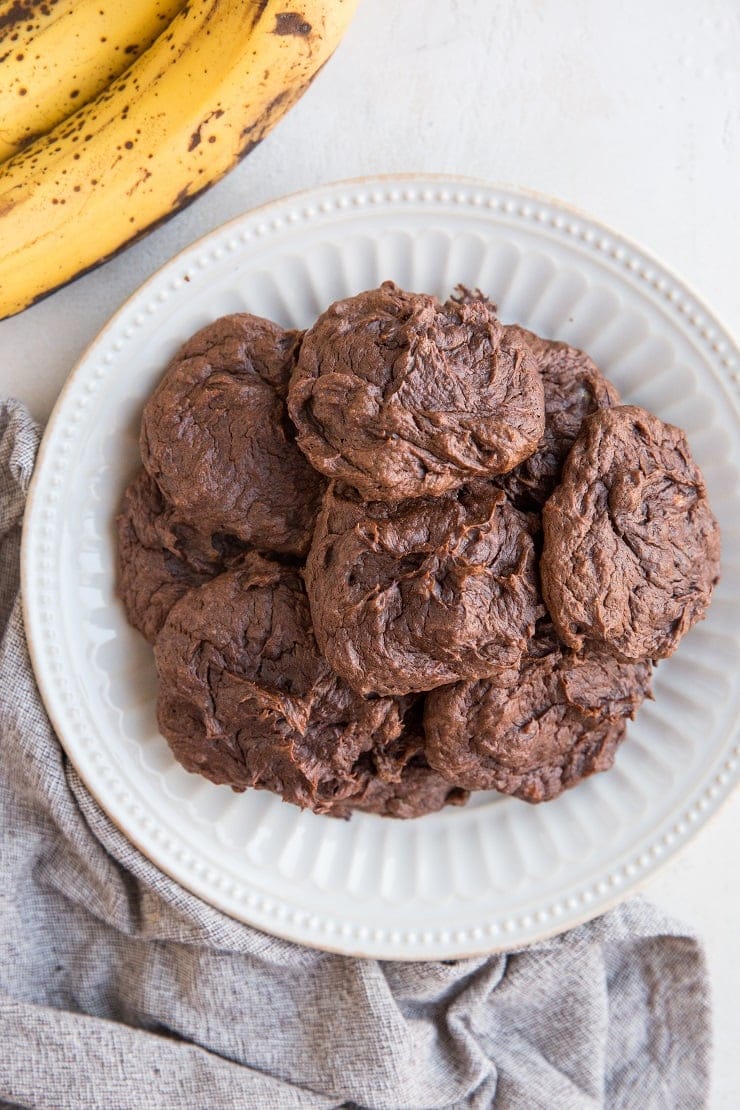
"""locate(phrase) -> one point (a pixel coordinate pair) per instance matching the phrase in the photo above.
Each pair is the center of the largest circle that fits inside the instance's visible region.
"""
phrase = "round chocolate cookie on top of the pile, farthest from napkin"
(402, 397)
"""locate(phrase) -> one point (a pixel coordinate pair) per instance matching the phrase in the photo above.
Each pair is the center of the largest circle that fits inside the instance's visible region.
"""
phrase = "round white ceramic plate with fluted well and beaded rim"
(499, 873)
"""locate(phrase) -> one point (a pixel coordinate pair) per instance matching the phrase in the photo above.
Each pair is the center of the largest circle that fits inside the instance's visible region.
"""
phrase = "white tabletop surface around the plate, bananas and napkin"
(630, 110)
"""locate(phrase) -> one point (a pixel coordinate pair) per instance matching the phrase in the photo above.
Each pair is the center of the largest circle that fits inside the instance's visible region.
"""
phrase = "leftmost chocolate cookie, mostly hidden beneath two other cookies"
(159, 560)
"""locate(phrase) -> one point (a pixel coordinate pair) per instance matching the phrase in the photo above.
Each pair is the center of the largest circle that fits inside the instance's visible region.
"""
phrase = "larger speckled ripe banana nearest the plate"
(204, 95)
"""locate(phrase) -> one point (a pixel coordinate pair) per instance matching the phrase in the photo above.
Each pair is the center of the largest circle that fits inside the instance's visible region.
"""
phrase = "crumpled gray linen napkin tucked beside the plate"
(119, 990)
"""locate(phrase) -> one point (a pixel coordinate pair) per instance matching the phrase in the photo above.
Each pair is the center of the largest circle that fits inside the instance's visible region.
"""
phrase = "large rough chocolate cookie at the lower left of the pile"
(245, 698)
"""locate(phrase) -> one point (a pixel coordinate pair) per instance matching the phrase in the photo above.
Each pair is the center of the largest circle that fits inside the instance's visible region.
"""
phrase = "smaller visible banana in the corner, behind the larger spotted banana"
(56, 56)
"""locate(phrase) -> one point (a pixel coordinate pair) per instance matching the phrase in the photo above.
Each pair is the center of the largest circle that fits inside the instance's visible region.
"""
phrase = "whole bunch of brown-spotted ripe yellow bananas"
(116, 114)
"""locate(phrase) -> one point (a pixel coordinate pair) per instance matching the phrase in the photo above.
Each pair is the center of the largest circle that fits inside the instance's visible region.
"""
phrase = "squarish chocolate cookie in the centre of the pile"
(411, 597)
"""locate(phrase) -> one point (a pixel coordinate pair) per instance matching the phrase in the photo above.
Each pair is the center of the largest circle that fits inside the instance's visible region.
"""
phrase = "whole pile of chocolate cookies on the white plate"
(404, 556)
